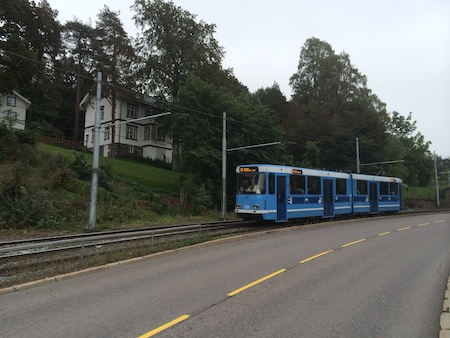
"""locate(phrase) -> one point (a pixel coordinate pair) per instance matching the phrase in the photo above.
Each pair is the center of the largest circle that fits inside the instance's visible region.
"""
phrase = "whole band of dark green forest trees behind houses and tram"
(176, 59)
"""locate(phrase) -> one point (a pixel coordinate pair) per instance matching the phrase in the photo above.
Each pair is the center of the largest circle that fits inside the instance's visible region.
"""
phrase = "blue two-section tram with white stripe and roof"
(280, 193)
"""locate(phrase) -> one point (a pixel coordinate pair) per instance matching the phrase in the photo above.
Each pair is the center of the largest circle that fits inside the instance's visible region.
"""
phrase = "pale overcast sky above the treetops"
(402, 46)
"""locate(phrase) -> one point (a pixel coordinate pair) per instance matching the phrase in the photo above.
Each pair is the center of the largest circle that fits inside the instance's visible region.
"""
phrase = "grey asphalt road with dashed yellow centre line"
(382, 277)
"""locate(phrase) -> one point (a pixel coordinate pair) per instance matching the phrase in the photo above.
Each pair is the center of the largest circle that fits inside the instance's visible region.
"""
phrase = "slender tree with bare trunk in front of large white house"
(114, 56)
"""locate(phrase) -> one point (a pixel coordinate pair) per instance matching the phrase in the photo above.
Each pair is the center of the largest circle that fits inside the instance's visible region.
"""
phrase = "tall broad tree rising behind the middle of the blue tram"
(332, 105)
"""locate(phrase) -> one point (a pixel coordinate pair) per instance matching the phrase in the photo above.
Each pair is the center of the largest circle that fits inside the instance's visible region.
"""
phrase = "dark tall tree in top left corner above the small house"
(29, 46)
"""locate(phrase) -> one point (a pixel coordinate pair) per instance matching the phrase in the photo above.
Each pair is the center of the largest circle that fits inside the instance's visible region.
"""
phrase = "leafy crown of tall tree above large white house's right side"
(171, 45)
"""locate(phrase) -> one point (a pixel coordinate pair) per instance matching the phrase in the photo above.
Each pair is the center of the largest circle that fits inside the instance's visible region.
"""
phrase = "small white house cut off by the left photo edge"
(13, 108)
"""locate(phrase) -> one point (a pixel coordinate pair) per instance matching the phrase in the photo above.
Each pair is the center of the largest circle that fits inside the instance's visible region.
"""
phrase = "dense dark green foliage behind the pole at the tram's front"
(199, 131)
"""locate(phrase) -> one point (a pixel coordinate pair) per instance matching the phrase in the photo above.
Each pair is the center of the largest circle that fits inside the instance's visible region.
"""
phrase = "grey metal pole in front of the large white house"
(96, 155)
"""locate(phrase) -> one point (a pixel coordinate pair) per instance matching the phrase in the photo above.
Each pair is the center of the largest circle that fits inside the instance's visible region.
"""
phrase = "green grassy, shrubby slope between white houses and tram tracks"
(46, 187)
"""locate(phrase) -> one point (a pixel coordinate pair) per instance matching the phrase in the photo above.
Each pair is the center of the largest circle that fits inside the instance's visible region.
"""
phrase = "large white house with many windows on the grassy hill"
(140, 138)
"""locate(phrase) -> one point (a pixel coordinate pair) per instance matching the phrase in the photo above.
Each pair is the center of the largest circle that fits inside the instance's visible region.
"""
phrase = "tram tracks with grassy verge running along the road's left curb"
(26, 260)
